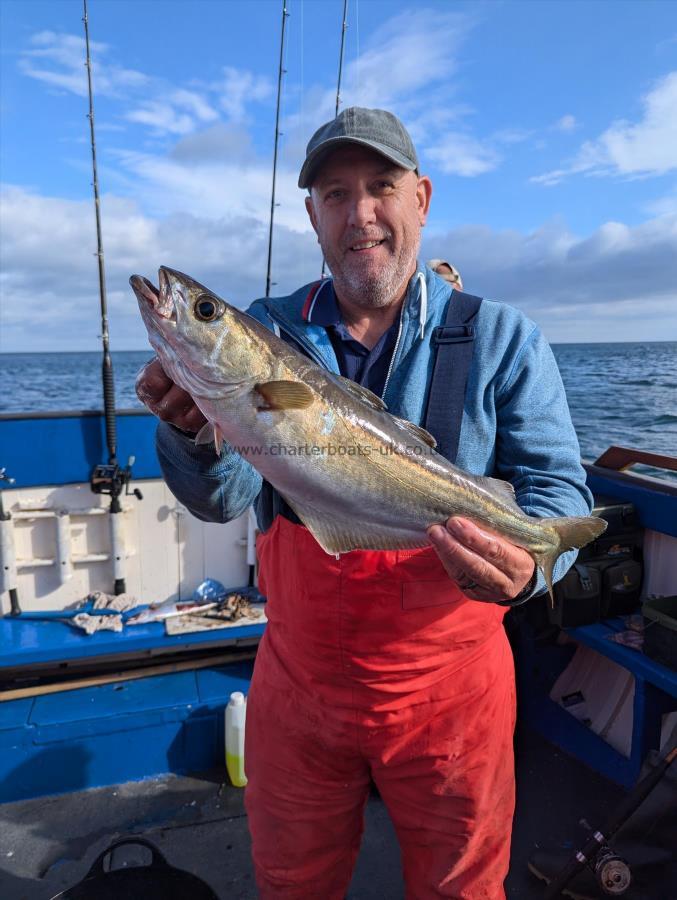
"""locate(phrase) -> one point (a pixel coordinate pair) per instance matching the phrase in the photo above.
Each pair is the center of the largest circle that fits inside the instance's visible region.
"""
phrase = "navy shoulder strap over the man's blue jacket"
(454, 343)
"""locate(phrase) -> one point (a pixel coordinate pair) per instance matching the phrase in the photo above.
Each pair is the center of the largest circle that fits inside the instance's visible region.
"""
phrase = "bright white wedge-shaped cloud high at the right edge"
(648, 147)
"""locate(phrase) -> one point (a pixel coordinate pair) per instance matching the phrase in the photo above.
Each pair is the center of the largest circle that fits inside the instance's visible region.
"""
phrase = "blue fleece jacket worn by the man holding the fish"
(516, 423)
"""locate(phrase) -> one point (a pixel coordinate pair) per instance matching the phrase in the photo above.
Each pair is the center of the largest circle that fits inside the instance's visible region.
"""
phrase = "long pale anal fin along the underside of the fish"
(337, 535)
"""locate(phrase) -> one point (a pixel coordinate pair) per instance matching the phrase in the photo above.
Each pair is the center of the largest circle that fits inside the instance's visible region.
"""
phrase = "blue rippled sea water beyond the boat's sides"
(618, 393)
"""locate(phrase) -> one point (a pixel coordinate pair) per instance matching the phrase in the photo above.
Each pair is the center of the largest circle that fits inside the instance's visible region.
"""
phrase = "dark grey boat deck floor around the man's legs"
(48, 844)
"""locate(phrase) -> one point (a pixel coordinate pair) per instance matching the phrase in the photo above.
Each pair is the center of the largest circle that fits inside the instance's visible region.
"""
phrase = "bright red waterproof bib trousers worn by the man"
(375, 664)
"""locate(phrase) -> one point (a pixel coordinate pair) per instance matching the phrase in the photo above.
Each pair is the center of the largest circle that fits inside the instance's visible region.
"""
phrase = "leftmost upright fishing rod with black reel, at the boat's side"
(107, 478)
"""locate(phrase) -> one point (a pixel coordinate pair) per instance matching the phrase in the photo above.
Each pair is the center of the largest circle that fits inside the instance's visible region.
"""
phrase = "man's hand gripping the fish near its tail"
(484, 565)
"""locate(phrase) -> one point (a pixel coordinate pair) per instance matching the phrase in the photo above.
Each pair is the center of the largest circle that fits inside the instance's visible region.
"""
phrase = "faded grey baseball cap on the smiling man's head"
(374, 128)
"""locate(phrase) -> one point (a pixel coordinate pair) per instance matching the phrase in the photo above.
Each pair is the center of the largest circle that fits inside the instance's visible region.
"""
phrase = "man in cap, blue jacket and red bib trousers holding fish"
(383, 665)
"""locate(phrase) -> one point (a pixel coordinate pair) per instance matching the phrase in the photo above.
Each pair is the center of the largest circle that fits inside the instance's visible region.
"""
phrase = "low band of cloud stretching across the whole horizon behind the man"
(616, 284)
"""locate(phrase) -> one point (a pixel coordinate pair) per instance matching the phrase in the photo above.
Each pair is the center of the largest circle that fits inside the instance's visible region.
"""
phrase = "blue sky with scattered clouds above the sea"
(549, 130)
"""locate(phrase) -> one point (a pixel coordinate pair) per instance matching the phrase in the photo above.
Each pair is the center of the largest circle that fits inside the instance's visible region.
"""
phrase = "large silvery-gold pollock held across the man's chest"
(357, 476)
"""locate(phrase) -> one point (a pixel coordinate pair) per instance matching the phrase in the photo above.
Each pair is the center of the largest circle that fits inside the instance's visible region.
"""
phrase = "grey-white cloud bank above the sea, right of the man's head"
(601, 287)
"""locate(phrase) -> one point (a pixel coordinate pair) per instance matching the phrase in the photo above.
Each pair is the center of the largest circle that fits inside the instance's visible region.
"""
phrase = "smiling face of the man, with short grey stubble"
(368, 215)
